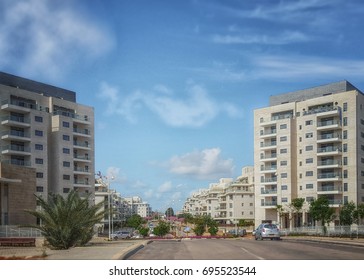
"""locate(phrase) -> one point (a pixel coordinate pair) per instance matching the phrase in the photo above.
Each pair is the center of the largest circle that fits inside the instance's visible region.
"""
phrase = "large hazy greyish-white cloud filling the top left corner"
(39, 37)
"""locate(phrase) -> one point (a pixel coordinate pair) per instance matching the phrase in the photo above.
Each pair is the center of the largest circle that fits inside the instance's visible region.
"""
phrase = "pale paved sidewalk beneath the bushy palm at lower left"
(97, 249)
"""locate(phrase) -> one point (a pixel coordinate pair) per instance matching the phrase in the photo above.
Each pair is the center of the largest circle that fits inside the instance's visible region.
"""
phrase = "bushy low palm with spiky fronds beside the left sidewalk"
(67, 222)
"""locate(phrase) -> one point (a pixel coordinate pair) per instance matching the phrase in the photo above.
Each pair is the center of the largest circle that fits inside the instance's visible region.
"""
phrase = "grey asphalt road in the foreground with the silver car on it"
(247, 249)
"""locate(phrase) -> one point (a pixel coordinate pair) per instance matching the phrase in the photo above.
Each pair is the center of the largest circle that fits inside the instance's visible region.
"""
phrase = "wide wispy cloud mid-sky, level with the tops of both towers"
(195, 109)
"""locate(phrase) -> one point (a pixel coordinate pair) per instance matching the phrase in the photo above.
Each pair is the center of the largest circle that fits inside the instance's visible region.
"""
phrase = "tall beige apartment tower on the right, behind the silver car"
(309, 143)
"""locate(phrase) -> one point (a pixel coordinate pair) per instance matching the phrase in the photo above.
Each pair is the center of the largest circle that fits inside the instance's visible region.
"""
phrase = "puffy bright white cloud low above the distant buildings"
(205, 164)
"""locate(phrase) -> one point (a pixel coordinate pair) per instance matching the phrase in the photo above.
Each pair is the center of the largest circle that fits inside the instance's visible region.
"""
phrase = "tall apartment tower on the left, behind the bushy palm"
(44, 132)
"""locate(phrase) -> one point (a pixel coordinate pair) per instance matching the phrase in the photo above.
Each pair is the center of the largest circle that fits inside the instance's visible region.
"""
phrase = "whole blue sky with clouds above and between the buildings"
(174, 83)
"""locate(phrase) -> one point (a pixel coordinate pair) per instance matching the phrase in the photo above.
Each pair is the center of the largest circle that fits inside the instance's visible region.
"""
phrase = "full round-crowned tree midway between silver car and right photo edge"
(320, 210)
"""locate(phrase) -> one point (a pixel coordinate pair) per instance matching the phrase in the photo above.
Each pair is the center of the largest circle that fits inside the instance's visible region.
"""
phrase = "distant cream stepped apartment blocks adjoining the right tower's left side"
(227, 201)
